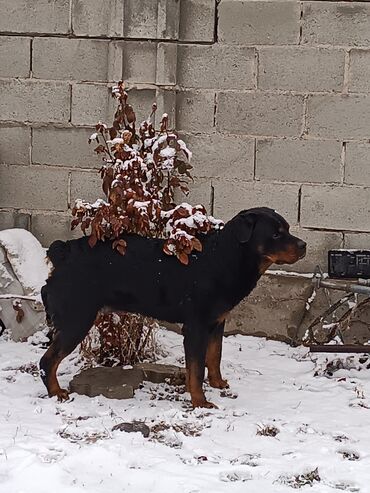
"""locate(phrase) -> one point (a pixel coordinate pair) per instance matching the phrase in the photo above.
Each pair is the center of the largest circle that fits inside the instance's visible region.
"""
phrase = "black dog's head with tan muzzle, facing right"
(267, 233)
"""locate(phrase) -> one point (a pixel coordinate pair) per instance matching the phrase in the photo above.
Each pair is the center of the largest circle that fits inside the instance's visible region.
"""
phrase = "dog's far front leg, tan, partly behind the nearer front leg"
(213, 357)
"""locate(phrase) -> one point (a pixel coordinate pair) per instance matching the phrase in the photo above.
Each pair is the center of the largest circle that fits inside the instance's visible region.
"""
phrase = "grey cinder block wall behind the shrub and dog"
(273, 97)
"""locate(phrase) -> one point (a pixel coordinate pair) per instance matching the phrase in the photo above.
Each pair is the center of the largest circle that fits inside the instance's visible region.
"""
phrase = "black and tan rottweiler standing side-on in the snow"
(147, 281)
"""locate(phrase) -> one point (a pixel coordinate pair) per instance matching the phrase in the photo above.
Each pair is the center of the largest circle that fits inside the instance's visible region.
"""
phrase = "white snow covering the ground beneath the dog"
(322, 422)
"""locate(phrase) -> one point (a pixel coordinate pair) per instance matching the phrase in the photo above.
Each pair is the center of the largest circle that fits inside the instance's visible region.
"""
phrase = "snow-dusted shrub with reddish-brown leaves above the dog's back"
(141, 171)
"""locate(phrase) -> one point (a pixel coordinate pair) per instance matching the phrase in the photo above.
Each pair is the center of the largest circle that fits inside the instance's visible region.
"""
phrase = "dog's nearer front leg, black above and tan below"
(195, 345)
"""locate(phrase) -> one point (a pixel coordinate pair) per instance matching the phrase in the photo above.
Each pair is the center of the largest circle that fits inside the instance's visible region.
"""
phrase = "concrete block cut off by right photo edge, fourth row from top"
(357, 164)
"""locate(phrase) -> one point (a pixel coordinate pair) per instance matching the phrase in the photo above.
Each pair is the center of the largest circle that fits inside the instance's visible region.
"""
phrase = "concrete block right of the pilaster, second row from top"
(216, 66)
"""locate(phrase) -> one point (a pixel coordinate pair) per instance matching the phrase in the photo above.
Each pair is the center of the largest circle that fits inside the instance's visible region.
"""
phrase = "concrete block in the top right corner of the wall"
(336, 23)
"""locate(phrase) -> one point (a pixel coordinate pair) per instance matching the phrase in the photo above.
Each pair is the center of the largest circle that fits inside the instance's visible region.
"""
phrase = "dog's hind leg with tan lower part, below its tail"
(70, 331)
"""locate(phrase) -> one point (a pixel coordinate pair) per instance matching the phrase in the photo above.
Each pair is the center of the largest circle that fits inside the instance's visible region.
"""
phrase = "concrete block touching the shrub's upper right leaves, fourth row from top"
(221, 156)
